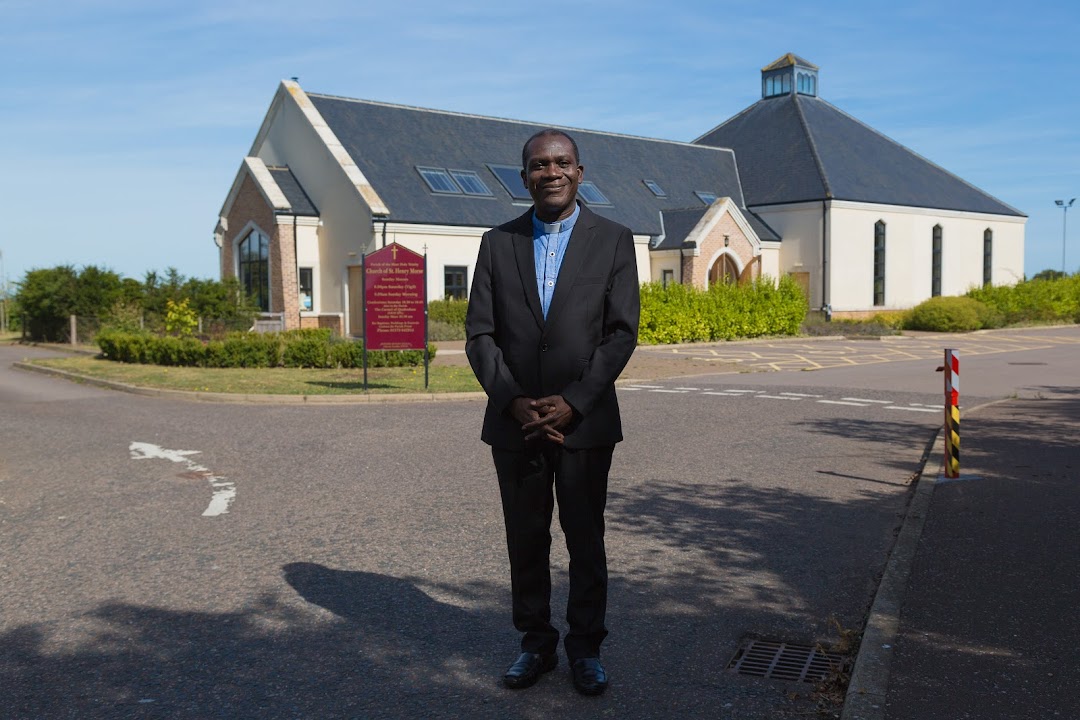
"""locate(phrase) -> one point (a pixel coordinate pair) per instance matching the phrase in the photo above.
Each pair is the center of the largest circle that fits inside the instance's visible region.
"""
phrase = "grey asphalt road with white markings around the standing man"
(360, 568)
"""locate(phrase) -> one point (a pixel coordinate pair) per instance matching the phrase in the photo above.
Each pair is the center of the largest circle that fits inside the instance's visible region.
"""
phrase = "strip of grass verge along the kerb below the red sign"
(272, 382)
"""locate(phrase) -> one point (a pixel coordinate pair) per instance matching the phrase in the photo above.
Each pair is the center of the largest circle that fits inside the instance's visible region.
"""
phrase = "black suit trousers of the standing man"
(579, 478)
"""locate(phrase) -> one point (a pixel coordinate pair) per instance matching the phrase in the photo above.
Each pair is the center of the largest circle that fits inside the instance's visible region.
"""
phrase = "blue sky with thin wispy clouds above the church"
(125, 123)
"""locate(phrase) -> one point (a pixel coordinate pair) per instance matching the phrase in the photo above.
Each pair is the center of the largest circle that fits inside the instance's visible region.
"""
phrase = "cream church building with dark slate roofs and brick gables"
(790, 186)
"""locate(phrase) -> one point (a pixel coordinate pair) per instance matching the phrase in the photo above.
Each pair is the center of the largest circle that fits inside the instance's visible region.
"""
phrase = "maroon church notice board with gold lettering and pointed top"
(395, 300)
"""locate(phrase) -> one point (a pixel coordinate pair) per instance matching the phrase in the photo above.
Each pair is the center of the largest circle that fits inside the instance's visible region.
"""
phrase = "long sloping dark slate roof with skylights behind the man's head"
(389, 142)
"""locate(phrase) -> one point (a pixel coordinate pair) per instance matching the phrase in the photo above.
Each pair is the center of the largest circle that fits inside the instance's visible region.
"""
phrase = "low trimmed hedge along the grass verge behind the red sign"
(308, 348)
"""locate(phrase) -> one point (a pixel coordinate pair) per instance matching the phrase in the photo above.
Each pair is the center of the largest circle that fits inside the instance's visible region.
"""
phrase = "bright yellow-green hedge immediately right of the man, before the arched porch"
(679, 314)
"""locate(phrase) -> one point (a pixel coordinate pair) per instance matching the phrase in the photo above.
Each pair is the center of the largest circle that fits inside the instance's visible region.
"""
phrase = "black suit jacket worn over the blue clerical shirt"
(580, 349)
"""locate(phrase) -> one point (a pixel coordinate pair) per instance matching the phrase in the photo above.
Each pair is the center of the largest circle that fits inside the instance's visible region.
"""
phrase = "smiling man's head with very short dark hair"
(552, 175)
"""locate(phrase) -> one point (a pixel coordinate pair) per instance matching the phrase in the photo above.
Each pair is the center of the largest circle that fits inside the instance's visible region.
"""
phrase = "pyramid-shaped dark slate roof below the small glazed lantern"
(796, 148)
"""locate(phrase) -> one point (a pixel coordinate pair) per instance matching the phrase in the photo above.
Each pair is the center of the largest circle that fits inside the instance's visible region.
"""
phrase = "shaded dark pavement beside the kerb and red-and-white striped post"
(976, 615)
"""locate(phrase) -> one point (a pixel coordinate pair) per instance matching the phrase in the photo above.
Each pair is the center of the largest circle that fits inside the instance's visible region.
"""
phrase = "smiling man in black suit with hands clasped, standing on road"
(552, 322)
